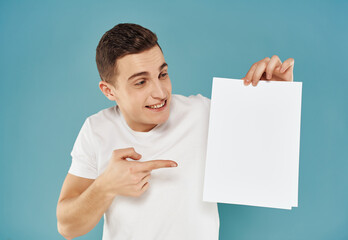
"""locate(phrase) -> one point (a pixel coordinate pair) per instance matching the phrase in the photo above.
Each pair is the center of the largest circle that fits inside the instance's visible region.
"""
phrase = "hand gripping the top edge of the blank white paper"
(271, 69)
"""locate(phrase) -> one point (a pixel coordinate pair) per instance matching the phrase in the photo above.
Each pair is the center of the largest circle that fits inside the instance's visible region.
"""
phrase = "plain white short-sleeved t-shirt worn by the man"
(172, 207)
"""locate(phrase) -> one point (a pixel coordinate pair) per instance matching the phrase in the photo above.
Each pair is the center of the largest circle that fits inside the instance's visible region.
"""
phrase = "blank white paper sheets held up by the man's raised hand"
(253, 143)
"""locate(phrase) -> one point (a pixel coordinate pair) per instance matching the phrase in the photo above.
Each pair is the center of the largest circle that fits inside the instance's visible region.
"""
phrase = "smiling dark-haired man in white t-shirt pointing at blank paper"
(149, 129)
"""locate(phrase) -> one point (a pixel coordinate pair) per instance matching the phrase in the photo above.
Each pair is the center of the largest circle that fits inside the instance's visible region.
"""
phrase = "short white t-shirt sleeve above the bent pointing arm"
(84, 161)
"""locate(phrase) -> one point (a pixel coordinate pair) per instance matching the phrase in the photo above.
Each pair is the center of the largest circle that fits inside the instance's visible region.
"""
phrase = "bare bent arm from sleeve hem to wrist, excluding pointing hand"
(81, 205)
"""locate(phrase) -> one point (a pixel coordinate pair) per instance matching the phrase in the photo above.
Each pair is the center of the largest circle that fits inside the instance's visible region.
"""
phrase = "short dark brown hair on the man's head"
(123, 39)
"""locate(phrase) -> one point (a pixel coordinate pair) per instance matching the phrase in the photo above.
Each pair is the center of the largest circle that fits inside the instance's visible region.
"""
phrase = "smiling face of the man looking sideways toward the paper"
(143, 89)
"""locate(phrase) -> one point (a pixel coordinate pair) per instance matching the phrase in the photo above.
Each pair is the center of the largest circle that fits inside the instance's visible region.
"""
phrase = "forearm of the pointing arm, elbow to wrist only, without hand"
(77, 216)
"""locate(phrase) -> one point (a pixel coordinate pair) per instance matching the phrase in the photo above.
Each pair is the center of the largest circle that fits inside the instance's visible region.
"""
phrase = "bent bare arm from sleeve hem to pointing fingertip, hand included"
(83, 201)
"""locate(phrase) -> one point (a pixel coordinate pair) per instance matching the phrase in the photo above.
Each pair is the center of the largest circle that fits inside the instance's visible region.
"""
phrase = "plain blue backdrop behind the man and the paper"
(49, 85)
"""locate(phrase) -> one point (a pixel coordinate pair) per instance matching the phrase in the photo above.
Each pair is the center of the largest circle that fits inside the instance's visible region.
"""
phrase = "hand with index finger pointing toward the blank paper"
(130, 178)
